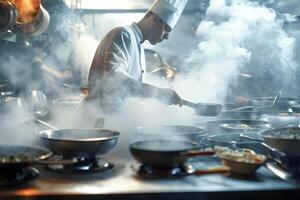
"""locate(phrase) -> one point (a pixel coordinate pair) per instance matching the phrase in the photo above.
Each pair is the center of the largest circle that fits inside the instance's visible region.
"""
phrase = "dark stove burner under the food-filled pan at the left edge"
(19, 177)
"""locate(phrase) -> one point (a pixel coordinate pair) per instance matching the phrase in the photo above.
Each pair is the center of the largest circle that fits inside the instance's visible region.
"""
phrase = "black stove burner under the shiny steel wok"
(83, 165)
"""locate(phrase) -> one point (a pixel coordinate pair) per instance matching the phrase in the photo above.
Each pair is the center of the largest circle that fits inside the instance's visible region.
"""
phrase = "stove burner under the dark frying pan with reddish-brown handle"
(146, 171)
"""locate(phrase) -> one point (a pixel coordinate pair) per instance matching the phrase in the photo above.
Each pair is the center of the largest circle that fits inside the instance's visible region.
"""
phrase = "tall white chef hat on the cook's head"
(168, 10)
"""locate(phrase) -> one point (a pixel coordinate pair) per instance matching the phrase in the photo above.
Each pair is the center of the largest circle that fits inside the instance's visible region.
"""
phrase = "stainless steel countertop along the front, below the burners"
(122, 180)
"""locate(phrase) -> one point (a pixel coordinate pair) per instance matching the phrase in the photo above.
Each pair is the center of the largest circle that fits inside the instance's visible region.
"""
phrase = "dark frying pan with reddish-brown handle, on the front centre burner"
(165, 154)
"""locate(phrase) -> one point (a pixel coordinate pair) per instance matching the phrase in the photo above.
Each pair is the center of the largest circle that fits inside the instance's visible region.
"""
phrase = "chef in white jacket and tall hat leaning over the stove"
(119, 61)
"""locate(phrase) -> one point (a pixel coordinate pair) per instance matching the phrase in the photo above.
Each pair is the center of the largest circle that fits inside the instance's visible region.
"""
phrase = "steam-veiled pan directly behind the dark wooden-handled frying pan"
(190, 133)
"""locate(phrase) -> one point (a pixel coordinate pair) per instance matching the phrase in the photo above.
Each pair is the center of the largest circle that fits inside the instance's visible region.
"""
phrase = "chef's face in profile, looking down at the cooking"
(159, 32)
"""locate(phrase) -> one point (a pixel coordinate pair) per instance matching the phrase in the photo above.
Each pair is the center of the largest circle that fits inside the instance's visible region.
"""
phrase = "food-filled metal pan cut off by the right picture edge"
(286, 140)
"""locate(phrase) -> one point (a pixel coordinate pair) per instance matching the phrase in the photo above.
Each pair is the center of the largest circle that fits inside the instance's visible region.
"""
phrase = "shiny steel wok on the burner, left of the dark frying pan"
(87, 143)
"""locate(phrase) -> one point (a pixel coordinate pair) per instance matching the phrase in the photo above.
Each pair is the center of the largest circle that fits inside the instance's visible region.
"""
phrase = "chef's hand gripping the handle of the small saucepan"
(169, 97)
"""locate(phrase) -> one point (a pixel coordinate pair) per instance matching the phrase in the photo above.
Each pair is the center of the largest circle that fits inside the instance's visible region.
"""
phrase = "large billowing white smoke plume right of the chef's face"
(235, 35)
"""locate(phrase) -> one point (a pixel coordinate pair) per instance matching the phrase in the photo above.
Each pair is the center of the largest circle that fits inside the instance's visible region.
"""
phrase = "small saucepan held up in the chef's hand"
(204, 109)
